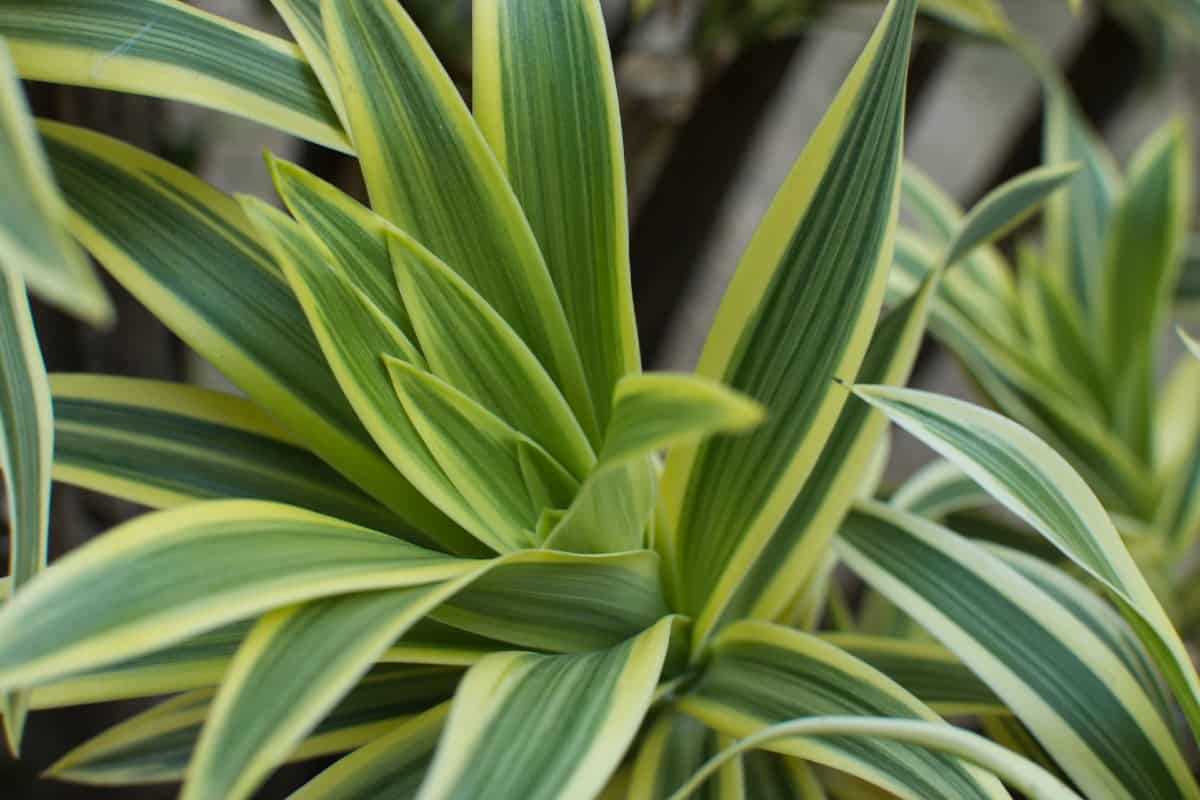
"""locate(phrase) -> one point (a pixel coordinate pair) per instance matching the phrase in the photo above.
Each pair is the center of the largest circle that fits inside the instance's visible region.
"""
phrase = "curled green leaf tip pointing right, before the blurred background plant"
(1006, 207)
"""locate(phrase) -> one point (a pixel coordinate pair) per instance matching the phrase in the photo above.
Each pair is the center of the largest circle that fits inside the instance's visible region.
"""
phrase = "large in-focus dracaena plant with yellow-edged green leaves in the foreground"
(436, 534)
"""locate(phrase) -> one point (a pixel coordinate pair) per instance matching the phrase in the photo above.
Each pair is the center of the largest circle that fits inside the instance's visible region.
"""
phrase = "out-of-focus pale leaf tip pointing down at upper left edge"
(34, 244)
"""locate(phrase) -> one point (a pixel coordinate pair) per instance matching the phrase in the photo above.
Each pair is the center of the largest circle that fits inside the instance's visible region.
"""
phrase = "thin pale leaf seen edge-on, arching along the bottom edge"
(1028, 778)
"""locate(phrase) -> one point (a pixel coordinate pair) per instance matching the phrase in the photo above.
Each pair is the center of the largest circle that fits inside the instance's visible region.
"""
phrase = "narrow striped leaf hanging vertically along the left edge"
(27, 448)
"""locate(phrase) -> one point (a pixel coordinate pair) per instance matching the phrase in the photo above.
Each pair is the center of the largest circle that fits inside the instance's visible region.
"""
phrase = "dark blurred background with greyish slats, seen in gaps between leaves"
(718, 99)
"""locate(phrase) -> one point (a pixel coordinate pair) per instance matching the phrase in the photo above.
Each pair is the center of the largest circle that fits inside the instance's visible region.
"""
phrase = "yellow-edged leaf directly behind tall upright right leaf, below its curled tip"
(802, 542)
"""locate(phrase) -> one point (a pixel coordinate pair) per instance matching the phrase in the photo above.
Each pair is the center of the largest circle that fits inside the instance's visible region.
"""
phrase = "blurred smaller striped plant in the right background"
(1072, 346)
